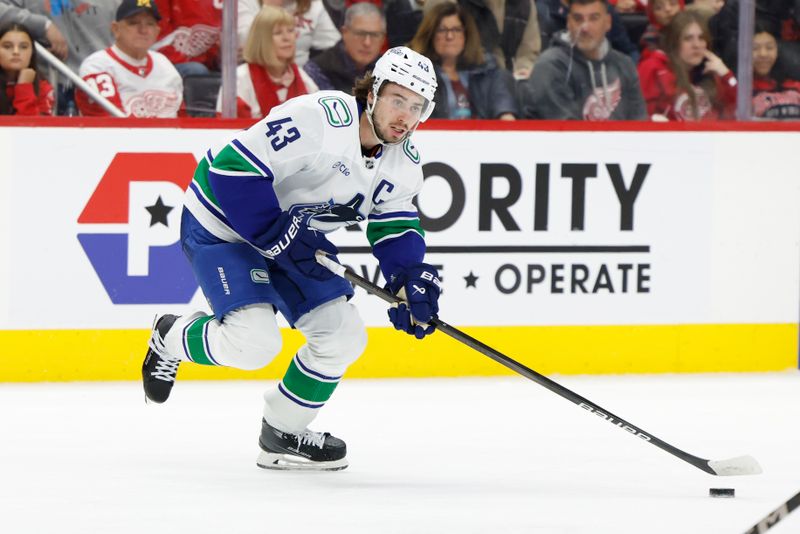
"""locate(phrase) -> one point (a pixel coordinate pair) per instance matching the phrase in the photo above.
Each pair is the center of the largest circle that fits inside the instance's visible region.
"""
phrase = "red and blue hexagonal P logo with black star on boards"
(130, 229)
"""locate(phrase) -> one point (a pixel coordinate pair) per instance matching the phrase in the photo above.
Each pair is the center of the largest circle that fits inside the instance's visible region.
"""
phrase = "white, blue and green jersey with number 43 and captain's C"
(306, 155)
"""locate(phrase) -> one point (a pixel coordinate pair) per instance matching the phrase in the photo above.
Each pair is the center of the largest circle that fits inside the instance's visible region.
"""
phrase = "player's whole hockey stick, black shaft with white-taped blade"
(742, 465)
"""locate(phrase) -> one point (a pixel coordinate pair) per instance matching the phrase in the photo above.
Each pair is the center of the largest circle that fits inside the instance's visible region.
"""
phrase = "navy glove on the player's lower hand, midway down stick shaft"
(419, 286)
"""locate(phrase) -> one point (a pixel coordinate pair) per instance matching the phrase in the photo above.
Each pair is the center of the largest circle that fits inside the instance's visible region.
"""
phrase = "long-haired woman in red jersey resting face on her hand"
(686, 81)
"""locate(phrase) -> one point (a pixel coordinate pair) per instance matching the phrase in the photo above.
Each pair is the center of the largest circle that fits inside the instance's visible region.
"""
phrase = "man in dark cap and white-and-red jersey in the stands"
(140, 82)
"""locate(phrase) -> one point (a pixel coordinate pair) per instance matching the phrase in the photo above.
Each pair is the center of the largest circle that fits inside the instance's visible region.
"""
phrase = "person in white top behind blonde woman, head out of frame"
(315, 29)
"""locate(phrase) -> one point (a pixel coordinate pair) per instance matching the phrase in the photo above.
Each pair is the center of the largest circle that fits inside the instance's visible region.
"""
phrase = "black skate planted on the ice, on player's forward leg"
(307, 450)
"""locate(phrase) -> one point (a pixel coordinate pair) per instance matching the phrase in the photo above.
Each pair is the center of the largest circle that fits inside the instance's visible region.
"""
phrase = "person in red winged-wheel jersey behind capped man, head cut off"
(189, 35)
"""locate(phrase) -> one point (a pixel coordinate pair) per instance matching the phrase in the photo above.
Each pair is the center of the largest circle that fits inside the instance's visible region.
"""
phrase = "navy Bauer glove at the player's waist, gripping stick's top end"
(294, 244)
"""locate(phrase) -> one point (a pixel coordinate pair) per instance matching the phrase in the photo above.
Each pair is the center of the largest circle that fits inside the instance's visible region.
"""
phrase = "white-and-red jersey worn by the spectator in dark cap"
(148, 88)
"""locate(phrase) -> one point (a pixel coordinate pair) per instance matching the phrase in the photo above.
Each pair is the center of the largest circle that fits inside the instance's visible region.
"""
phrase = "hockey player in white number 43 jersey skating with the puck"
(256, 213)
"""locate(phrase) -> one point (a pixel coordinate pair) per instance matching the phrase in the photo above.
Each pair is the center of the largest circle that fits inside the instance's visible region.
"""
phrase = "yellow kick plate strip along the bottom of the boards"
(117, 355)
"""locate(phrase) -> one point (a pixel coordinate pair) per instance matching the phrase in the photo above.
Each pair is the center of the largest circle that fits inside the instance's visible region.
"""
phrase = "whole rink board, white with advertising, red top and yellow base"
(637, 249)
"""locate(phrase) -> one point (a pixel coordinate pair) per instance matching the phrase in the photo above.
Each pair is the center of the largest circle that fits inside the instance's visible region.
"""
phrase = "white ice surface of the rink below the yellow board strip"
(499, 455)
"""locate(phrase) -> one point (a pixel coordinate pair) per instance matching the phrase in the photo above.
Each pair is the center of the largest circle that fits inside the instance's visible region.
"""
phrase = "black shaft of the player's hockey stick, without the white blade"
(540, 379)
